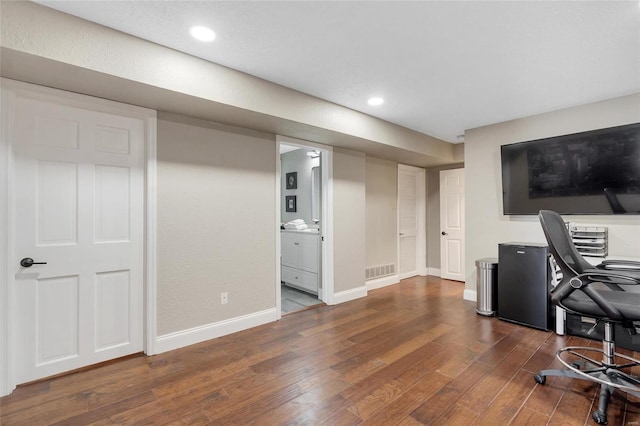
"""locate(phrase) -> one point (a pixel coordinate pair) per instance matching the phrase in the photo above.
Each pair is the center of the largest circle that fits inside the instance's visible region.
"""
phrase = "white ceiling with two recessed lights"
(441, 66)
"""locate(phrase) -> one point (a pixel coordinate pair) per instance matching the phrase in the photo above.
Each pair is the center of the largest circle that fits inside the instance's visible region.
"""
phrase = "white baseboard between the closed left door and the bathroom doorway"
(180, 339)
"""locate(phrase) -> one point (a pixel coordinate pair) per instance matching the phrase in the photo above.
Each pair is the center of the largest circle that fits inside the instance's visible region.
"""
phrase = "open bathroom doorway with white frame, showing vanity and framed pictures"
(304, 225)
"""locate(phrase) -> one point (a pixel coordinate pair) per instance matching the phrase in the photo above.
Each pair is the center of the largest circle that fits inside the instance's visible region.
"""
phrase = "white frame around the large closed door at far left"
(9, 90)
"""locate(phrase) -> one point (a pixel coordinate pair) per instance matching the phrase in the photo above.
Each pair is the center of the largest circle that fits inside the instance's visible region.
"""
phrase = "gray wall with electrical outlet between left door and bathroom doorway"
(216, 222)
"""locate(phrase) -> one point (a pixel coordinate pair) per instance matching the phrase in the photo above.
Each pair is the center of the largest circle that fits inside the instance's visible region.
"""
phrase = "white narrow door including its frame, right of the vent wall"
(411, 221)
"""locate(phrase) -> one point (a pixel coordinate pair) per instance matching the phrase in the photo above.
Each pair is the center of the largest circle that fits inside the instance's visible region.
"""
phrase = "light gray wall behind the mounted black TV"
(486, 226)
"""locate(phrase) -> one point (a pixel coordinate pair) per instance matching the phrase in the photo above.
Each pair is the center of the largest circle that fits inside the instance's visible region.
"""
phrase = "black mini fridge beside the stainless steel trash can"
(523, 284)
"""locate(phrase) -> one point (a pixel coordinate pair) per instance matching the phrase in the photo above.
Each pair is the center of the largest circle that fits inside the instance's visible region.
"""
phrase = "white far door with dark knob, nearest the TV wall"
(452, 224)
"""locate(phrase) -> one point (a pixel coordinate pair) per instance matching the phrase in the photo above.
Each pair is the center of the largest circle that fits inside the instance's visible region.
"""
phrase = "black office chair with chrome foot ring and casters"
(599, 293)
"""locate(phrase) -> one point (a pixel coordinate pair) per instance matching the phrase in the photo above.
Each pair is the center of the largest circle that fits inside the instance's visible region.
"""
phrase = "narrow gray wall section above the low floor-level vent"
(381, 212)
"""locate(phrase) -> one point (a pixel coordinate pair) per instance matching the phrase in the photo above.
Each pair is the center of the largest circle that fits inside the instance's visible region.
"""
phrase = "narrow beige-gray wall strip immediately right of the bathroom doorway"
(349, 173)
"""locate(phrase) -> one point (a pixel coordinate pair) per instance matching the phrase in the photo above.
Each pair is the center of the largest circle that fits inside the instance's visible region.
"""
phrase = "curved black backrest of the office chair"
(561, 246)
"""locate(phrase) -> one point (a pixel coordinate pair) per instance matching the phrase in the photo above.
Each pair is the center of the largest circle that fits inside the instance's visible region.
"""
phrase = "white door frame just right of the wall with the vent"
(421, 206)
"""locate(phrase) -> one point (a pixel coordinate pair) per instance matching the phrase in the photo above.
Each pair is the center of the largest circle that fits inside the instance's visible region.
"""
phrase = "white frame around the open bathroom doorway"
(326, 236)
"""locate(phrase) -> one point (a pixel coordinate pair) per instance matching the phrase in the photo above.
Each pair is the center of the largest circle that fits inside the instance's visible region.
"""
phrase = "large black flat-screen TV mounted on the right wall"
(595, 172)
